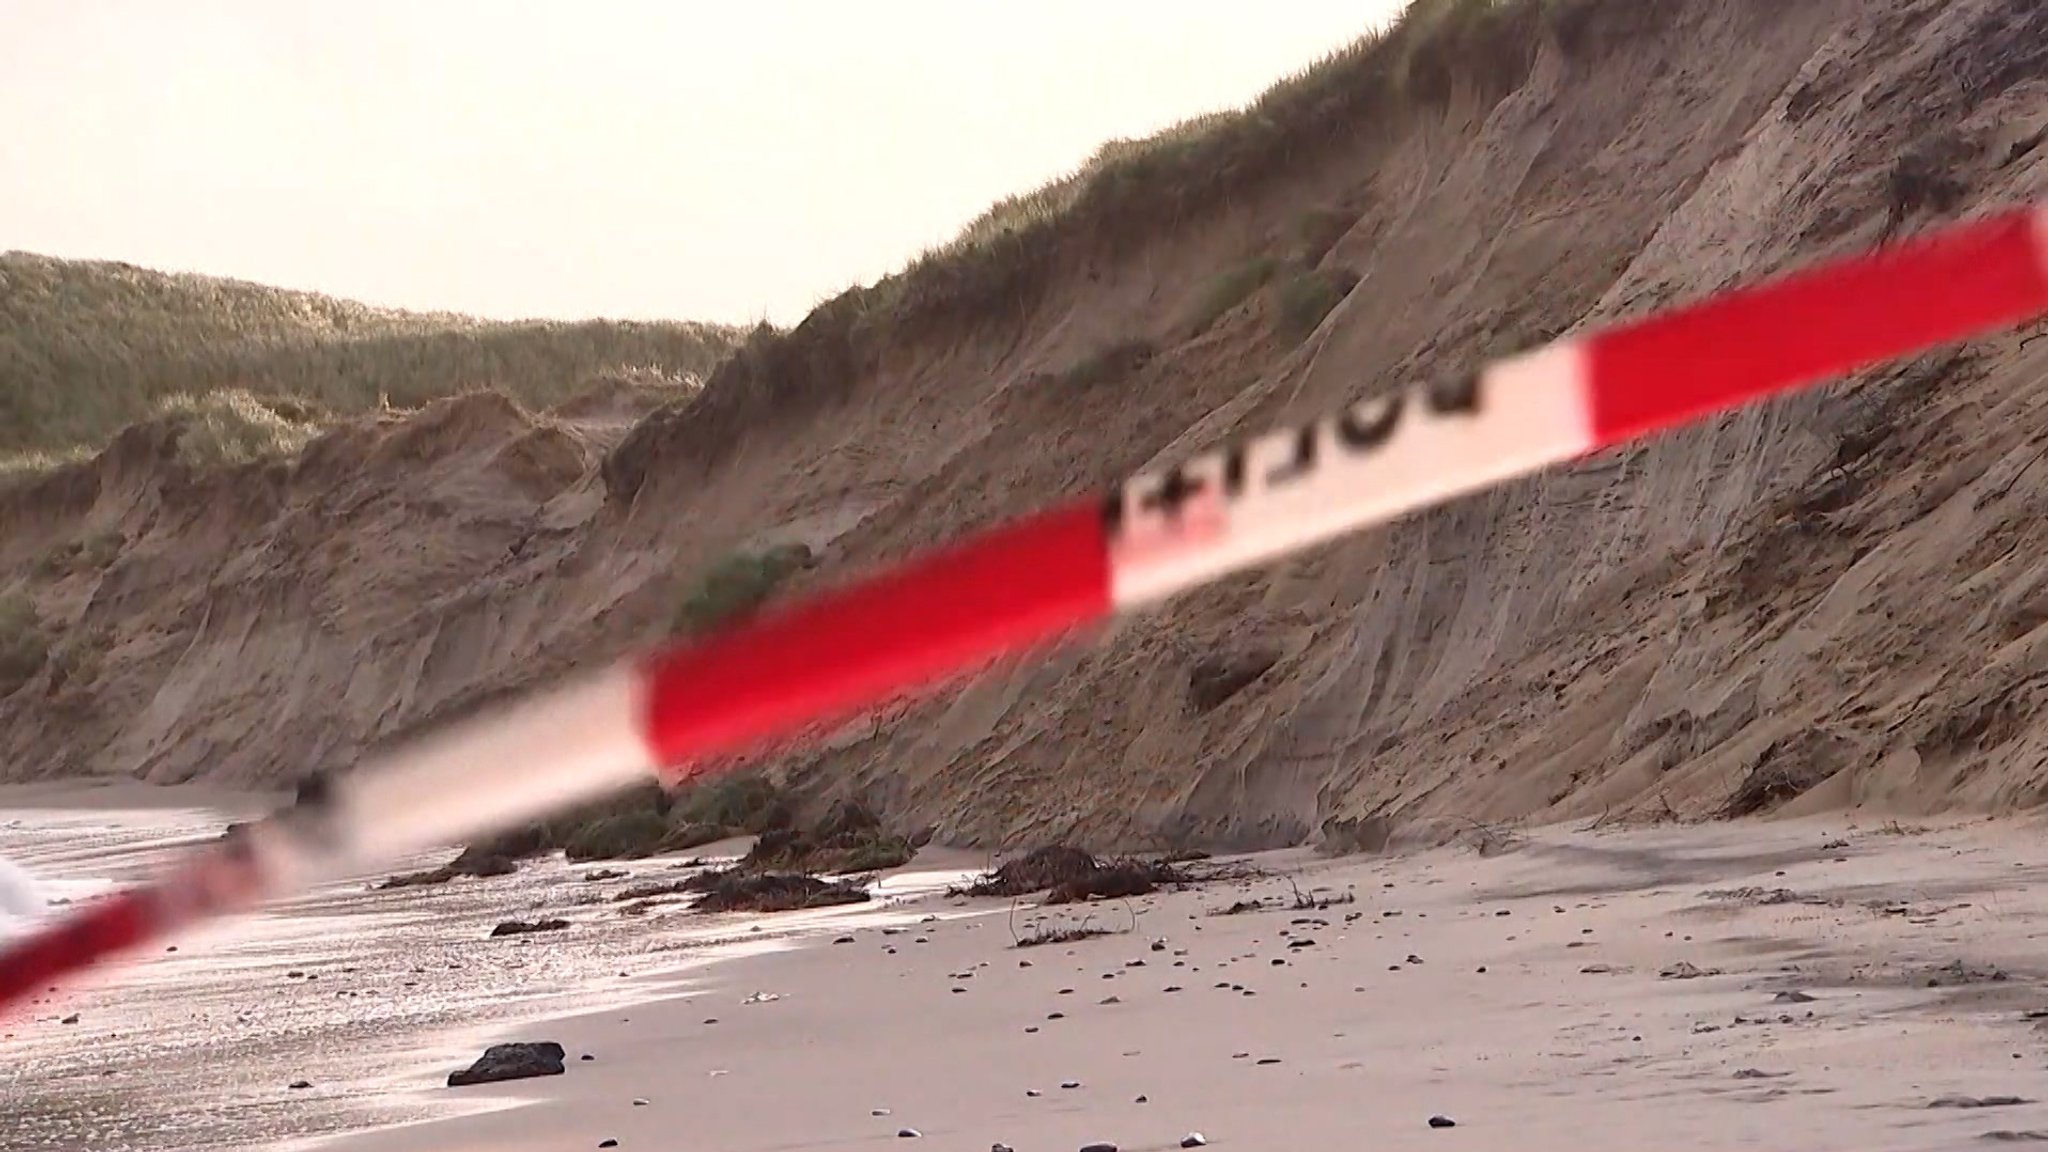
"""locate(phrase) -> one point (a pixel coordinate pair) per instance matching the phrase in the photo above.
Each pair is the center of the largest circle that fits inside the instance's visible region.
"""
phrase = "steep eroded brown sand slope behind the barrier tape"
(1834, 595)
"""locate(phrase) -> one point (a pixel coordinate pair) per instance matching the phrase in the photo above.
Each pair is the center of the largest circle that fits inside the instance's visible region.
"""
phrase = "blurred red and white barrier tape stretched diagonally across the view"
(1031, 581)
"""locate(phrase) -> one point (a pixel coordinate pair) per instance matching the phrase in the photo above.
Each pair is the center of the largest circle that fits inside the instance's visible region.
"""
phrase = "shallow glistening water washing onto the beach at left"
(368, 995)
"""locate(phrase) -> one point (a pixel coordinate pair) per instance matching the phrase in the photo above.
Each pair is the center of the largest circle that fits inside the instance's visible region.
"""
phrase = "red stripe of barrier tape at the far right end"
(1816, 325)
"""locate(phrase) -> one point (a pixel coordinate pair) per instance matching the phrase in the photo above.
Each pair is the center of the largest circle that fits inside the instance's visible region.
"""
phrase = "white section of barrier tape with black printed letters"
(1533, 413)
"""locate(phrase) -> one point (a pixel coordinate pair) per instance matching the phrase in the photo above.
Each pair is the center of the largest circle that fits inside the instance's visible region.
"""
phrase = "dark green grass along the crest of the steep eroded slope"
(1132, 194)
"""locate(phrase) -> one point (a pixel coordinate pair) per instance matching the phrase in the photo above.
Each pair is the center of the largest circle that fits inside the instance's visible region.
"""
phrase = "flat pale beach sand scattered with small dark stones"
(1578, 991)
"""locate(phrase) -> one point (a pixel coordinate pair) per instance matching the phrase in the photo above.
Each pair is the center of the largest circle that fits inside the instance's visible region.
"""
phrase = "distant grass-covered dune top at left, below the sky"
(91, 347)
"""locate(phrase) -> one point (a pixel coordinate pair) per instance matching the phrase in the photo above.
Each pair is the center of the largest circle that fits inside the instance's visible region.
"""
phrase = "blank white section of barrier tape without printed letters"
(497, 772)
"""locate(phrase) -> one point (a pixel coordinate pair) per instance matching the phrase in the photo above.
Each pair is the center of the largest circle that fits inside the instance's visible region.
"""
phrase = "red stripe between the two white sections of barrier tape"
(839, 653)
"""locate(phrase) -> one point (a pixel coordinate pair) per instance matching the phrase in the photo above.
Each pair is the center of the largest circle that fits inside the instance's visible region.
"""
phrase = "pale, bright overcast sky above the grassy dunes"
(632, 159)
